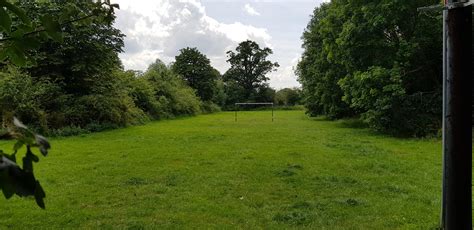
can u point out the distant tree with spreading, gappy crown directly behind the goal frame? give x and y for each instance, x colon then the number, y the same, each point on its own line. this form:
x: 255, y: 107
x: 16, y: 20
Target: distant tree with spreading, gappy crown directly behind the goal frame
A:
x: 247, y: 74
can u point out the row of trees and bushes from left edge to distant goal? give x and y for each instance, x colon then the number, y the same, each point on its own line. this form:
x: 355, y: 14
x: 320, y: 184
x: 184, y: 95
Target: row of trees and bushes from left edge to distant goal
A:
x: 73, y: 80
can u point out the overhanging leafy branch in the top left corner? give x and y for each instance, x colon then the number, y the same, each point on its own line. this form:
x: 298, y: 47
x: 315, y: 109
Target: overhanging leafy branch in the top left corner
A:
x: 20, y: 34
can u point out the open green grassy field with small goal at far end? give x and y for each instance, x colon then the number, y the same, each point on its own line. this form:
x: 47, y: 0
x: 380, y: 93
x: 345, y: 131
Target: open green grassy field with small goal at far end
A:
x: 212, y: 172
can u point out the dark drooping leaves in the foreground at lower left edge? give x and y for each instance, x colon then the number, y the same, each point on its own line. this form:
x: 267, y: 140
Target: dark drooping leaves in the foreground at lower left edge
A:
x: 13, y: 178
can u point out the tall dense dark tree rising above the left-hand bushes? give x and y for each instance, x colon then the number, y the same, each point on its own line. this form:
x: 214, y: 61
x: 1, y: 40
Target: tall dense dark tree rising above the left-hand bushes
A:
x: 86, y: 56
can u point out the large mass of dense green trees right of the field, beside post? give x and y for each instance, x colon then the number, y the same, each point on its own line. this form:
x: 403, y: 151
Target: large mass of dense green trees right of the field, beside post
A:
x: 379, y: 60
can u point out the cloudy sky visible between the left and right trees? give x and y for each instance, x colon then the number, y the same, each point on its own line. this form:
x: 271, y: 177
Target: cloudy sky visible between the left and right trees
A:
x: 158, y: 29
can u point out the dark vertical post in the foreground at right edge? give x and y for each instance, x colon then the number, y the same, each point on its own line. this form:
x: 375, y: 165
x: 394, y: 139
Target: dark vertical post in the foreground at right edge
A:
x: 457, y: 146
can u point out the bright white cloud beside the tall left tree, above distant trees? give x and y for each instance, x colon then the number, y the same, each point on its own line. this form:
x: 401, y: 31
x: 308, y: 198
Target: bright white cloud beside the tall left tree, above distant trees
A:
x: 160, y: 28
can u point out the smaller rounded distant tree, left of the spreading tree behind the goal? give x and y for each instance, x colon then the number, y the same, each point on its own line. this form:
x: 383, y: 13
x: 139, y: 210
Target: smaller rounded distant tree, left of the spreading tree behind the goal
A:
x: 195, y: 68
